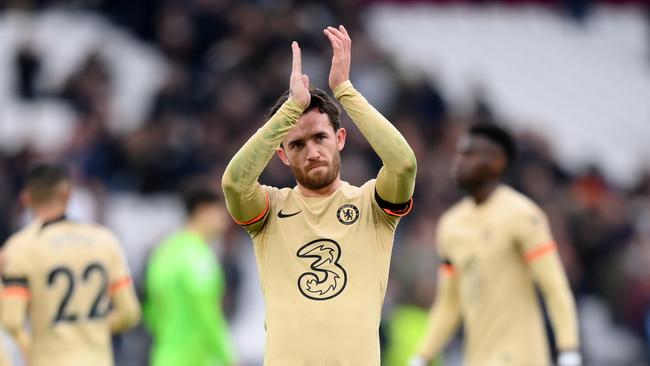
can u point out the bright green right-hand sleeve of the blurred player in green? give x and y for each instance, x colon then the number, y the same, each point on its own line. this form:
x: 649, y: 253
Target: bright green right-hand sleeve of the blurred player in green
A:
x: 202, y: 281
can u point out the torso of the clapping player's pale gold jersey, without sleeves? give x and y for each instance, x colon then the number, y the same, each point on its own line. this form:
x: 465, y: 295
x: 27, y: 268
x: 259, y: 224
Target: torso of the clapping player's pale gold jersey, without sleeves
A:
x: 323, y: 264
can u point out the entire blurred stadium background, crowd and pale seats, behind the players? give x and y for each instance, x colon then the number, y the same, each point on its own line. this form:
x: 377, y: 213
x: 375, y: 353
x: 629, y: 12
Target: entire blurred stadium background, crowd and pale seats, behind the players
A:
x: 139, y: 96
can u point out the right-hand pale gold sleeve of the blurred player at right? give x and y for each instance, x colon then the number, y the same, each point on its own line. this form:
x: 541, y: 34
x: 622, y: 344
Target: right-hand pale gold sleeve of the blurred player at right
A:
x: 540, y: 252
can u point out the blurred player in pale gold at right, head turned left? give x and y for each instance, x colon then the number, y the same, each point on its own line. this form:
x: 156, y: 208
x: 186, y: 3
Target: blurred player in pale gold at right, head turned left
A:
x: 495, y: 246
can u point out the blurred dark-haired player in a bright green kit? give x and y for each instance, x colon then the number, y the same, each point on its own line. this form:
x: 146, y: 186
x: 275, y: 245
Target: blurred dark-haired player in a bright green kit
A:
x: 184, y: 286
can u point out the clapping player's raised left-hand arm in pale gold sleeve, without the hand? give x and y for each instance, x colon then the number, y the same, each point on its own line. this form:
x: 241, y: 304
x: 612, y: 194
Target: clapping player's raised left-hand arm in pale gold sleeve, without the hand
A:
x: 242, y: 191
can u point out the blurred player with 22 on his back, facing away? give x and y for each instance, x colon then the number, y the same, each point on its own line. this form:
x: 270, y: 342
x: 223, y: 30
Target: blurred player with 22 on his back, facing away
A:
x: 70, y: 276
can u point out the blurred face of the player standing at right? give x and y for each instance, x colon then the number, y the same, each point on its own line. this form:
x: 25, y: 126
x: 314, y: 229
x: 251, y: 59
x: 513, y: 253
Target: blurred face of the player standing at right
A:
x: 475, y: 162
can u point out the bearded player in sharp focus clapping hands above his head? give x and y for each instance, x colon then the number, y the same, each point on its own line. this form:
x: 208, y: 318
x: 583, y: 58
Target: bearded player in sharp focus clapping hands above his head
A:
x: 323, y: 247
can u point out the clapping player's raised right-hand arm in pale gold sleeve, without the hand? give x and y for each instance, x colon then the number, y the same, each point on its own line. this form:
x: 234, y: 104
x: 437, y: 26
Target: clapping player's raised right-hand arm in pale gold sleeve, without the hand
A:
x: 396, y: 180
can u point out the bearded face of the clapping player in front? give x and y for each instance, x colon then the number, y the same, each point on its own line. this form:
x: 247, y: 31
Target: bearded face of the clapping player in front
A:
x: 312, y: 150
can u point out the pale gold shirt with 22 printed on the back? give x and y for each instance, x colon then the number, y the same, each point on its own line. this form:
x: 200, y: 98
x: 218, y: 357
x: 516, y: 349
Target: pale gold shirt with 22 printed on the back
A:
x: 67, y: 270
